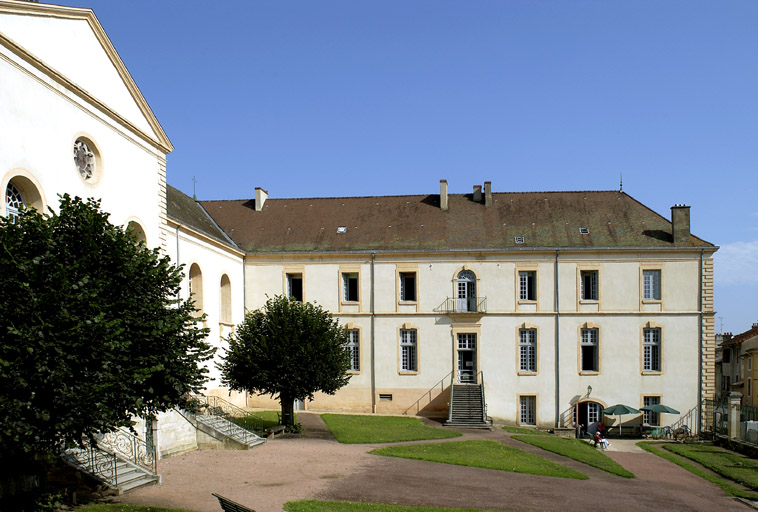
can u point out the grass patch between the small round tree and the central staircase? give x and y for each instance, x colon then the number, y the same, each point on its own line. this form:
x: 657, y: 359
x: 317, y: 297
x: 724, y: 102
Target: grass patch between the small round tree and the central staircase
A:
x: 357, y: 429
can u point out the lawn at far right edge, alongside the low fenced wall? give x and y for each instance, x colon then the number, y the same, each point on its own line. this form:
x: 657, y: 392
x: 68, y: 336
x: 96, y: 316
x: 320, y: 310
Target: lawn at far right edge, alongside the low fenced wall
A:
x: 724, y: 462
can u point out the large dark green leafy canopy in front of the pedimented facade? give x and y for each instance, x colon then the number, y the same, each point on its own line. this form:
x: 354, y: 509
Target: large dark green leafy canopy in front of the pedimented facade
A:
x: 91, y: 329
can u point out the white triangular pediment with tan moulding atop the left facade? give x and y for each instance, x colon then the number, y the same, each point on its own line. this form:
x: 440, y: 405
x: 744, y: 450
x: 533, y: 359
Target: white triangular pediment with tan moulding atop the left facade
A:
x: 69, y: 45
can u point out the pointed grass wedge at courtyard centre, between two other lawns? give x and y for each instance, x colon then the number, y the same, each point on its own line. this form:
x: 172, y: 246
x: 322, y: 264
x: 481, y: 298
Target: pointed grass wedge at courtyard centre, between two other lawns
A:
x: 481, y: 454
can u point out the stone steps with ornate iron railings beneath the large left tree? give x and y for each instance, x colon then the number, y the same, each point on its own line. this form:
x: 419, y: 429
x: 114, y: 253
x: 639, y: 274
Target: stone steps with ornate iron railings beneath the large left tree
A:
x: 120, y: 460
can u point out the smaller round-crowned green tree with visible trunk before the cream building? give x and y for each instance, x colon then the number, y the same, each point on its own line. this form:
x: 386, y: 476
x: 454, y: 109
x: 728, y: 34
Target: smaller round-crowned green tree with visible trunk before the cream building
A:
x: 288, y: 350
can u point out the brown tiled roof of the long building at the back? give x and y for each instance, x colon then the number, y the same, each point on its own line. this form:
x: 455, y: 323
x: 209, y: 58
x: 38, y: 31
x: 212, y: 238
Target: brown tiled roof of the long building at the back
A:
x: 408, y: 223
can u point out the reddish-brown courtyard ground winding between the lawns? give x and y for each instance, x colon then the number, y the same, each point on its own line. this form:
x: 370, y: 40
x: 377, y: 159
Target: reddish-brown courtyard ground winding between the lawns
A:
x: 317, y: 467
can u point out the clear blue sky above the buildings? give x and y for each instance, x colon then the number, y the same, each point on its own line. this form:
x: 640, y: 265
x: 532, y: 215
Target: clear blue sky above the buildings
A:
x: 345, y: 98
